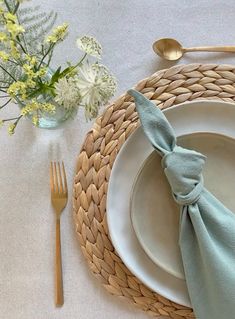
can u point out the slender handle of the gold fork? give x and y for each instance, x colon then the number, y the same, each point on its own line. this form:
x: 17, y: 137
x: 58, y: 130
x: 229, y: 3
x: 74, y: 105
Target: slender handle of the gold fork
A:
x: 59, y: 297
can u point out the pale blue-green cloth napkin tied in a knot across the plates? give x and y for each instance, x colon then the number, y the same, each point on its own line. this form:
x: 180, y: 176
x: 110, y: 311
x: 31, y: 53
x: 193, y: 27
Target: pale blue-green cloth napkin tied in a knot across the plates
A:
x: 207, y: 227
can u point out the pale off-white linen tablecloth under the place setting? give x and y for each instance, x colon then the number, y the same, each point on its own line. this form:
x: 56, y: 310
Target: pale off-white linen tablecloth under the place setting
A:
x: 126, y: 29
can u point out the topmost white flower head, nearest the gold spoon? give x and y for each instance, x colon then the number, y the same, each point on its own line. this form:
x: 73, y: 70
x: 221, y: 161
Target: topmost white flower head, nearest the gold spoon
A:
x: 90, y: 46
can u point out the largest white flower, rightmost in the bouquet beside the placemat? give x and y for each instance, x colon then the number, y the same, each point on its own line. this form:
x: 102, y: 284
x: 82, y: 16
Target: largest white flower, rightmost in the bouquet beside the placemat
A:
x: 96, y: 86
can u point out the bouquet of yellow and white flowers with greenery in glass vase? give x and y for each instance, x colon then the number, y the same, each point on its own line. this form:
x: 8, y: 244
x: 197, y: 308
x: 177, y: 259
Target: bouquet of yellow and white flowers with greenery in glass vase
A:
x: 27, y: 44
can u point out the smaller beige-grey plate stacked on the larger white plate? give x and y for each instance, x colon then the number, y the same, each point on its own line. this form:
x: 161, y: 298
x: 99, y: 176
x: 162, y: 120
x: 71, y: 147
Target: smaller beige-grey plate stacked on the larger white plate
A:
x: 154, y: 213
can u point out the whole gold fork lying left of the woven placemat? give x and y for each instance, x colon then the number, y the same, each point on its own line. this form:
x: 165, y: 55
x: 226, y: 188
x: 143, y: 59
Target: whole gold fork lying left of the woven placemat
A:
x: 59, y: 199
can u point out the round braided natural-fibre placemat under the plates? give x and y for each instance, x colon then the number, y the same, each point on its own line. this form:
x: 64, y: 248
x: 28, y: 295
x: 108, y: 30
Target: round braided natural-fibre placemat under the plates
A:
x: 101, y: 146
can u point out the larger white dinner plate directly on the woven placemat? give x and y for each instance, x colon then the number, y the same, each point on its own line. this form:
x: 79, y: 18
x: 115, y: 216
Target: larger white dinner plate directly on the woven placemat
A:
x: 191, y: 117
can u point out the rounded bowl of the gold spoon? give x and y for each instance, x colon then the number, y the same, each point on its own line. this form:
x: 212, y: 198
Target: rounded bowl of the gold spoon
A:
x: 169, y: 49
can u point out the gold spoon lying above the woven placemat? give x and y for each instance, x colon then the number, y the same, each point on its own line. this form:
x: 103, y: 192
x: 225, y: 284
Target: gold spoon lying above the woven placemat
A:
x: 170, y: 49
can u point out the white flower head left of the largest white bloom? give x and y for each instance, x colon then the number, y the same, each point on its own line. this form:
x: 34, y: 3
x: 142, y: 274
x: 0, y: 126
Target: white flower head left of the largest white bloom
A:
x: 67, y: 93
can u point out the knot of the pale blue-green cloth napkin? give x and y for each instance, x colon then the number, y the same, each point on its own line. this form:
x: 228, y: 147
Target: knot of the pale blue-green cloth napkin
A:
x: 183, y: 169
